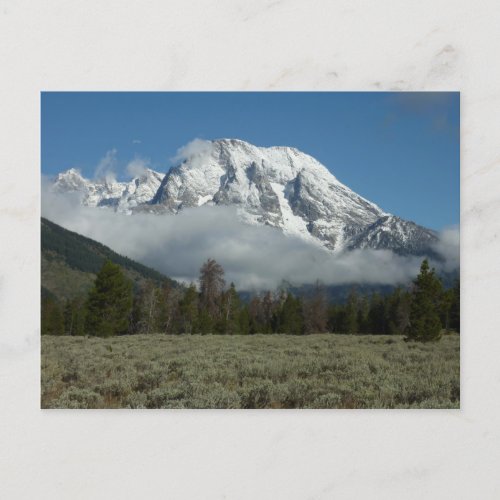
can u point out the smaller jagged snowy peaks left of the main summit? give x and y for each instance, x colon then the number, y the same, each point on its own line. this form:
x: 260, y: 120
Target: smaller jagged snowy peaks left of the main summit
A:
x: 122, y: 196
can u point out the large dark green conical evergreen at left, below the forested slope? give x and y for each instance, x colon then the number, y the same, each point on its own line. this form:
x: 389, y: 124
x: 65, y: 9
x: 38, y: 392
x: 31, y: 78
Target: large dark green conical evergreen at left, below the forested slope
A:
x: 109, y: 303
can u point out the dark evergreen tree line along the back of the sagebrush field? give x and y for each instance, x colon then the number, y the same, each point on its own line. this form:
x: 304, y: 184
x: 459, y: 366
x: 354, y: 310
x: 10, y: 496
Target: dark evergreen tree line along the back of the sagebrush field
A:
x: 111, y: 307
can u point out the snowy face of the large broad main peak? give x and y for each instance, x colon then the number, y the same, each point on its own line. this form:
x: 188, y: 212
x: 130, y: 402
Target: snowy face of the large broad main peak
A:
x: 278, y: 186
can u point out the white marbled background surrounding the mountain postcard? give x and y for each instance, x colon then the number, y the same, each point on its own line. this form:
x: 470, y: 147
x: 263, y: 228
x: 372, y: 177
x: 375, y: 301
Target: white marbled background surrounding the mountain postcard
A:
x: 249, y: 45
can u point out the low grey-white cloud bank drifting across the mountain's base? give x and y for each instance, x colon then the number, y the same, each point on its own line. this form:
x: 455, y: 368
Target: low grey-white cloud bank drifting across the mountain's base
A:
x: 254, y: 257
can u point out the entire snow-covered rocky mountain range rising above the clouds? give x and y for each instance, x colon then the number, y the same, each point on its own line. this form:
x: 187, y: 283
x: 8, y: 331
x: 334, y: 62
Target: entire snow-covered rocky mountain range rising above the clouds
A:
x: 277, y: 186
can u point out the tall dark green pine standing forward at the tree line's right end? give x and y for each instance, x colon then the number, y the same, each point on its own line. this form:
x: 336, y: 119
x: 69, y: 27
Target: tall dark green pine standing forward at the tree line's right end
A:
x: 425, y: 324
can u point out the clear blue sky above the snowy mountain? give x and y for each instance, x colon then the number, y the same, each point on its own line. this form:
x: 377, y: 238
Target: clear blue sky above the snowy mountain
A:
x: 399, y: 150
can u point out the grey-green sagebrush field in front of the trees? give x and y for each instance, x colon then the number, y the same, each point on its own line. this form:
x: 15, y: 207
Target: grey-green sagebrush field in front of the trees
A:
x: 257, y: 371
